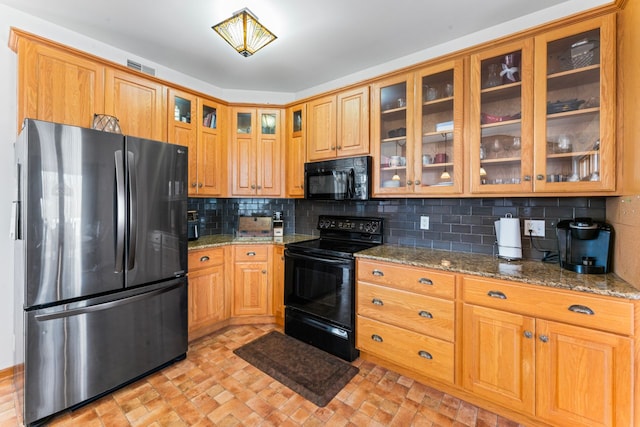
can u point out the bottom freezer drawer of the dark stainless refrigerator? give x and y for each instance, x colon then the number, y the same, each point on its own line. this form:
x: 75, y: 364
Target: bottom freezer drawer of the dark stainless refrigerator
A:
x: 78, y: 351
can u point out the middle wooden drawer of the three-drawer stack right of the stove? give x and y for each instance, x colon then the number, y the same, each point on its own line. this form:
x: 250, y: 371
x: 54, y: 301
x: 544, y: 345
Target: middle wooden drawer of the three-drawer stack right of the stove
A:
x: 419, y: 313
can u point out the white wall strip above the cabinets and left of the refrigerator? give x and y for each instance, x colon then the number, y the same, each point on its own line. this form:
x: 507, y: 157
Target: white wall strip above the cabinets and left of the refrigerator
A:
x: 8, y: 115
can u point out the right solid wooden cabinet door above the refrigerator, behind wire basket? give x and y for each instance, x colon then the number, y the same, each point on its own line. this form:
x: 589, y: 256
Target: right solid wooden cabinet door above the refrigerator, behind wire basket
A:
x: 137, y: 102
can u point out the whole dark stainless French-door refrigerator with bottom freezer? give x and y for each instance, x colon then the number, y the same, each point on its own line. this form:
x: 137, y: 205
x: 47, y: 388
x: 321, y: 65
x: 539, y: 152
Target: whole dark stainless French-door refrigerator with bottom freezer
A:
x: 101, y: 259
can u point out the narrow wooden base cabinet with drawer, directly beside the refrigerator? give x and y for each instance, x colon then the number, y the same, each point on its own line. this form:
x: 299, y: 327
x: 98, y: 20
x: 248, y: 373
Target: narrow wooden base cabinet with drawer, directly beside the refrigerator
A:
x: 207, y: 296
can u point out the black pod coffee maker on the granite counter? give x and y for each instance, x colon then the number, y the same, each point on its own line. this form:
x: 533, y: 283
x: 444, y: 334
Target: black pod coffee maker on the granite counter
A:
x: 584, y: 245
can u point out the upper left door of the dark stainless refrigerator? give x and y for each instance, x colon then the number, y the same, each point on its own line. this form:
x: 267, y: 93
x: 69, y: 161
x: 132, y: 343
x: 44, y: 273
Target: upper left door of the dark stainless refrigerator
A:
x: 66, y: 244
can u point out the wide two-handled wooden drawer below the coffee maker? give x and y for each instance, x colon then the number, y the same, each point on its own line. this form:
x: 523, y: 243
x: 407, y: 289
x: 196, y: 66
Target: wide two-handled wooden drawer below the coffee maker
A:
x: 597, y: 312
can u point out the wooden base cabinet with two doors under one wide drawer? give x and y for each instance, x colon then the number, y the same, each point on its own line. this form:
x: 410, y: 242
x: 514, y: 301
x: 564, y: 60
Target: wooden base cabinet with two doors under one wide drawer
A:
x: 524, y: 348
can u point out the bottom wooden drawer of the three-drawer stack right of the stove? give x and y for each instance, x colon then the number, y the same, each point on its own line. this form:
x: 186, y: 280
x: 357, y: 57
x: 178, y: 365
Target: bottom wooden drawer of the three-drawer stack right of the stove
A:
x: 423, y: 354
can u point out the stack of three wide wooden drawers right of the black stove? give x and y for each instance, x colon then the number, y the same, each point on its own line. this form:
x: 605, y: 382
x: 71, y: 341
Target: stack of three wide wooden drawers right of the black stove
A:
x: 407, y: 317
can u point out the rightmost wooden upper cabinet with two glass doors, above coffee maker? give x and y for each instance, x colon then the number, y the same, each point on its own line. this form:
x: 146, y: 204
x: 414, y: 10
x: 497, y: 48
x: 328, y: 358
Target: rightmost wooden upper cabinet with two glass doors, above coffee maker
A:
x: 542, y: 112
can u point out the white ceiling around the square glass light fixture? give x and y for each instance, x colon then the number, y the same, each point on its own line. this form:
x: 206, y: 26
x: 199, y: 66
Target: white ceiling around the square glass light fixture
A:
x: 318, y: 41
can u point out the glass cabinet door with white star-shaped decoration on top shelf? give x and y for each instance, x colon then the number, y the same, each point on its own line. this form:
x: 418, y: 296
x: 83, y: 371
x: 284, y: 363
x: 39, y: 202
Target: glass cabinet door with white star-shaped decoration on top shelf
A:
x: 501, y: 119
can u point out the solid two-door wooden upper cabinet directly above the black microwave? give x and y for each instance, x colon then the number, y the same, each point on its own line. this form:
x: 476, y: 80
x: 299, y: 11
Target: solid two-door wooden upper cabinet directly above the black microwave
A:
x: 338, y: 125
